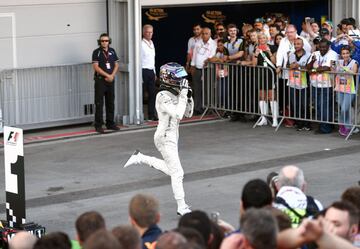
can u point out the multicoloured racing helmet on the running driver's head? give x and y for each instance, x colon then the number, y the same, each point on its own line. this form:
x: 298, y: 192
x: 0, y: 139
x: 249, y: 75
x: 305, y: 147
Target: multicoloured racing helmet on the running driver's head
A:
x: 172, y: 73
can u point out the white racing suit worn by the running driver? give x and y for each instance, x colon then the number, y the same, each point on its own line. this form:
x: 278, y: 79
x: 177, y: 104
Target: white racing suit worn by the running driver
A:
x: 170, y: 108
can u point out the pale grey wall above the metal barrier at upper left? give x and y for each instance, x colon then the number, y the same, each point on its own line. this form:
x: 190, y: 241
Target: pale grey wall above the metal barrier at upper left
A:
x: 43, y: 33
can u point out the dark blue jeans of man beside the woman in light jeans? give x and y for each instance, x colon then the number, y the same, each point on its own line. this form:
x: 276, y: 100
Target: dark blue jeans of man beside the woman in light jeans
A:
x: 323, y: 100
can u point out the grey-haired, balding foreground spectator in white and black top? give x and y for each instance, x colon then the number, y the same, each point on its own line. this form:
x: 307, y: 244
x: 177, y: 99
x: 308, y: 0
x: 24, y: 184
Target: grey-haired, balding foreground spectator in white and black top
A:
x: 291, y: 198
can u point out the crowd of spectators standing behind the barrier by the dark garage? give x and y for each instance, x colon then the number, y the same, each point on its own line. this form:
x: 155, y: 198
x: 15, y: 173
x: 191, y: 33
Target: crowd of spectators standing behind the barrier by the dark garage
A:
x: 318, y: 62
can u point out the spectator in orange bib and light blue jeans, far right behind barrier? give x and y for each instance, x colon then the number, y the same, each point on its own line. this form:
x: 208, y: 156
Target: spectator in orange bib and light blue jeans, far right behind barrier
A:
x: 346, y: 89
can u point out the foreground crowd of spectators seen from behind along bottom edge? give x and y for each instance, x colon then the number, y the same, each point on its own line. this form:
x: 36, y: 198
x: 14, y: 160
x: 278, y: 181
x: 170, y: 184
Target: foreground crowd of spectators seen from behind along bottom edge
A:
x: 273, y: 213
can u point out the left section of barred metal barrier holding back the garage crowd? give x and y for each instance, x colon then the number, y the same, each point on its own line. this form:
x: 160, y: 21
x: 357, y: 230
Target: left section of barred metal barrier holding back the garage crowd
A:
x: 233, y: 88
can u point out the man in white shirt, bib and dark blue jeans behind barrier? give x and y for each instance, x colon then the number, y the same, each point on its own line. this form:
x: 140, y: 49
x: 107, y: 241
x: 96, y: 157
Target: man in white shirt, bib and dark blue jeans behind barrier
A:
x: 321, y: 61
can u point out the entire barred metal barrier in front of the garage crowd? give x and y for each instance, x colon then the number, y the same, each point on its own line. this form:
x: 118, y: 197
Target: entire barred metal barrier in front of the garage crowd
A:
x: 329, y: 98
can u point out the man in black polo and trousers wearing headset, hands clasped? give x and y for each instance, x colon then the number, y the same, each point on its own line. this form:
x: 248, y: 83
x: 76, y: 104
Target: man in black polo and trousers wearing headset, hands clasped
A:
x: 105, y: 64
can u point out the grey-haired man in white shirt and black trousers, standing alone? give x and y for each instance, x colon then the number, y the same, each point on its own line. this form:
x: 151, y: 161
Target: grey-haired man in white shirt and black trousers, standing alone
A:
x: 148, y: 68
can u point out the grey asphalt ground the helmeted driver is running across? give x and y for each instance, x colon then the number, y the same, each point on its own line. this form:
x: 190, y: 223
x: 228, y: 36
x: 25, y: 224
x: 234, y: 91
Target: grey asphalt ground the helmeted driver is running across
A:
x: 68, y: 177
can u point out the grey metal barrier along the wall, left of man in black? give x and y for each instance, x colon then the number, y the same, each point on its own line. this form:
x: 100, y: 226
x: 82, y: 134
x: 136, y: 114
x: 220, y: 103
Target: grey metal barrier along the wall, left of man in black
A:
x: 47, y: 96
